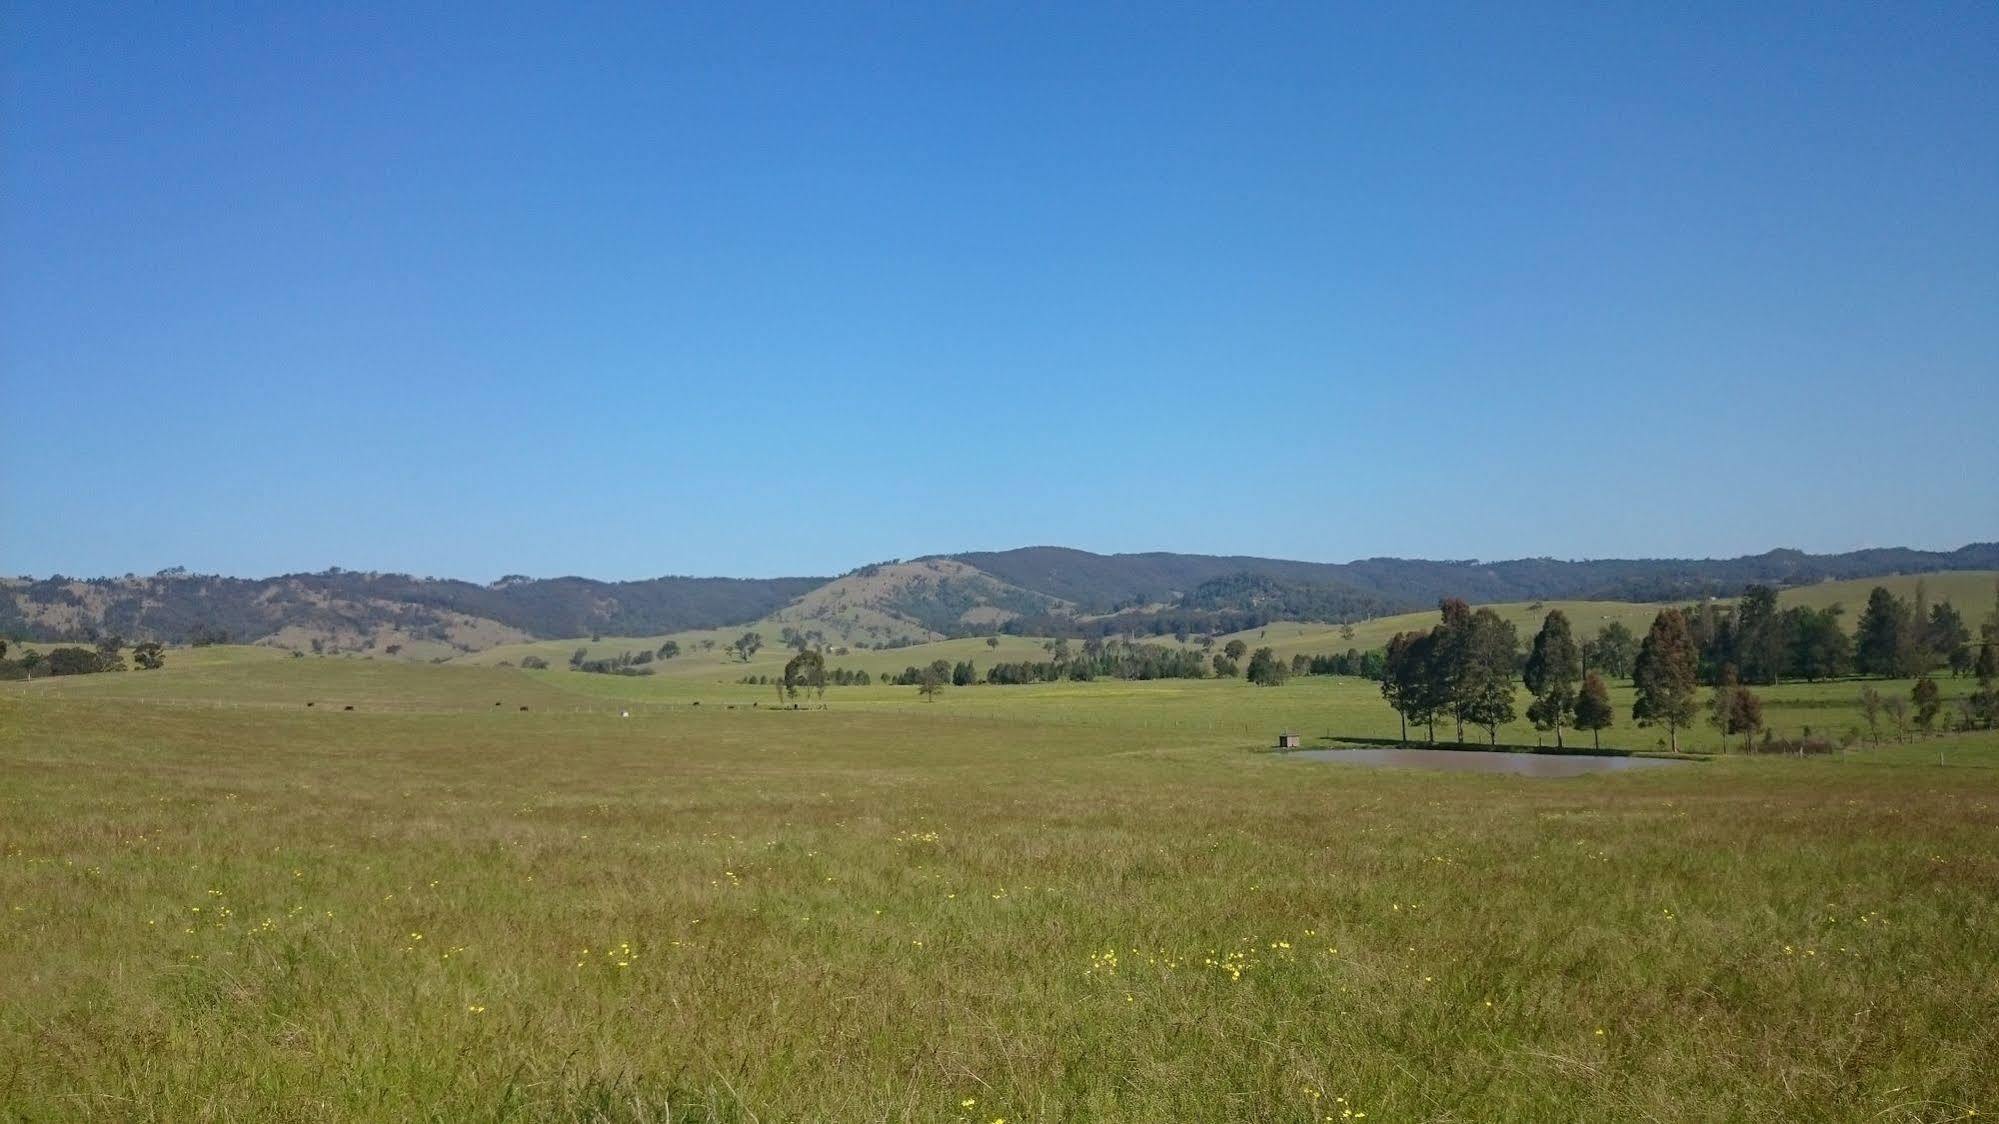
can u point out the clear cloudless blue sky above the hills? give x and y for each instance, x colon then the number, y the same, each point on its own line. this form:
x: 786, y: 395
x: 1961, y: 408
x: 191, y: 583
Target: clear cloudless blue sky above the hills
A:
x: 777, y: 289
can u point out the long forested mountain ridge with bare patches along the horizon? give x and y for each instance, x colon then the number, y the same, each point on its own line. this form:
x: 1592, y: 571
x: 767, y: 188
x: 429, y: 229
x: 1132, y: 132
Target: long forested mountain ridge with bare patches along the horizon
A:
x: 1030, y: 591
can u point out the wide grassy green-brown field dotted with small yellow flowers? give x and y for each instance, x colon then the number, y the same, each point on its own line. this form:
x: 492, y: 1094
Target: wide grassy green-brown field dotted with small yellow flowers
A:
x: 1054, y: 903
